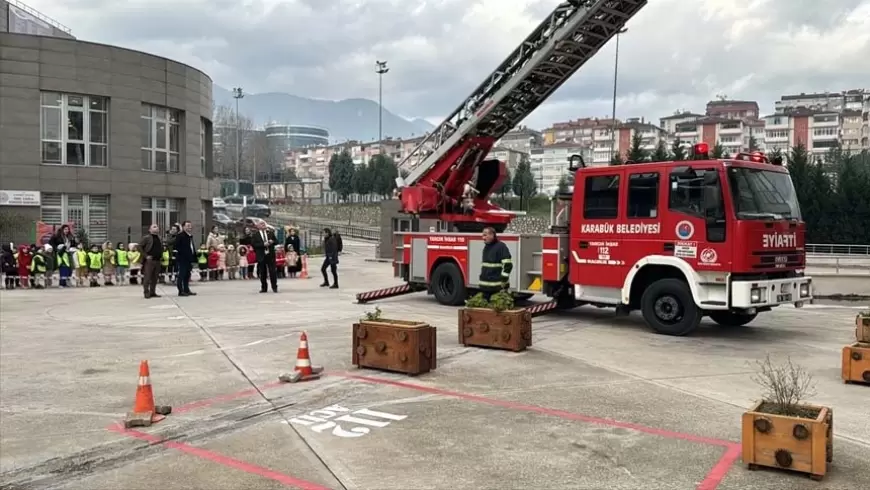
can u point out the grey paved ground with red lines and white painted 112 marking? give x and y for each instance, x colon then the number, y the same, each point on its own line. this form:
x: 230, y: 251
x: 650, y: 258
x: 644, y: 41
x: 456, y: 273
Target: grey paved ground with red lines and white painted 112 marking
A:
x: 598, y: 402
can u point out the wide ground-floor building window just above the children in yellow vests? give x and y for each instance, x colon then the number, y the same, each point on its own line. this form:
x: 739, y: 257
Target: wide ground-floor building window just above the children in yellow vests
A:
x: 84, y: 211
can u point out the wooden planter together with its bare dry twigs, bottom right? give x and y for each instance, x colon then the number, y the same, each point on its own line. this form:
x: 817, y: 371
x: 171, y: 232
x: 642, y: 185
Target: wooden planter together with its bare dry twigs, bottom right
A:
x: 781, y: 430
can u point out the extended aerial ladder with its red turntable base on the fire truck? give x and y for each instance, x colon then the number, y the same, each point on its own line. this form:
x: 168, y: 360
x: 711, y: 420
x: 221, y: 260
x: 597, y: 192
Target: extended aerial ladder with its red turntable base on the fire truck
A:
x: 433, y: 177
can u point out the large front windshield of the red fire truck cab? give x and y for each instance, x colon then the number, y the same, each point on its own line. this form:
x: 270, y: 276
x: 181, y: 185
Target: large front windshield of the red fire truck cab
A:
x: 763, y: 194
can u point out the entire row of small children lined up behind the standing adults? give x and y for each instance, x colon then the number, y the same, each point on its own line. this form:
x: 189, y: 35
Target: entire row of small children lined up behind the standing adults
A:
x: 34, y: 267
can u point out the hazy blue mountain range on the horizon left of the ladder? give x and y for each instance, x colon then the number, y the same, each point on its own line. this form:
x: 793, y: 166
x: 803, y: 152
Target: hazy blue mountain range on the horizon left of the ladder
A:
x: 349, y: 119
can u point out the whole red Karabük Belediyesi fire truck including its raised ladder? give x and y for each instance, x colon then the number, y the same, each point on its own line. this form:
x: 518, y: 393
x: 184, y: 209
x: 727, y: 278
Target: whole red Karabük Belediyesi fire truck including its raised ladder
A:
x: 676, y: 240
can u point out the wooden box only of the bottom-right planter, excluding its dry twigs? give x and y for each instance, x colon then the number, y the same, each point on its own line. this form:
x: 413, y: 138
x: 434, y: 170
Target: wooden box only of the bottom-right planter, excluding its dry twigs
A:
x: 793, y: 443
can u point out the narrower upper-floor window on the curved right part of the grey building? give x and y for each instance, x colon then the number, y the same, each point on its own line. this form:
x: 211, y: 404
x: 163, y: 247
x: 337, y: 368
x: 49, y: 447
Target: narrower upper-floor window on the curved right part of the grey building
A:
x: 161, y: 133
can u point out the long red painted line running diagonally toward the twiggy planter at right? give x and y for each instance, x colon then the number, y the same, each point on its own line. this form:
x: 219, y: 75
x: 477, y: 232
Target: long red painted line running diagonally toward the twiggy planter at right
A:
x: 543, y: 410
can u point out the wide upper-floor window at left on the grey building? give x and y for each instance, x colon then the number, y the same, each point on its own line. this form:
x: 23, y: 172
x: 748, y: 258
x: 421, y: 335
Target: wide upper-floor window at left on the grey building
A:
x: 74, y: 129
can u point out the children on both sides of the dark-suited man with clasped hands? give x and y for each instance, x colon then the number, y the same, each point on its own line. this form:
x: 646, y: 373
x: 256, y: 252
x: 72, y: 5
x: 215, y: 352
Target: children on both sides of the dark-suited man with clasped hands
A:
x: 222, y: 261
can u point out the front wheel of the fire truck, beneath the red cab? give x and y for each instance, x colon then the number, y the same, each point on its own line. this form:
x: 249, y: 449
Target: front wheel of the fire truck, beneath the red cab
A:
x: 669, y: 309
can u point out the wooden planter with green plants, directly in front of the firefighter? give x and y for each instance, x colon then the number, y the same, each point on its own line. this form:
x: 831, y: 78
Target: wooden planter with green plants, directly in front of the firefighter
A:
x: 495, y: 323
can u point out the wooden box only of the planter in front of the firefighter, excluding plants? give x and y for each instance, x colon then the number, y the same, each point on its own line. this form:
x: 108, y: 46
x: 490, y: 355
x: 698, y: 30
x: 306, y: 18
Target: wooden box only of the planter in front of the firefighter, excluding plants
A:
x: 483, y: 327
